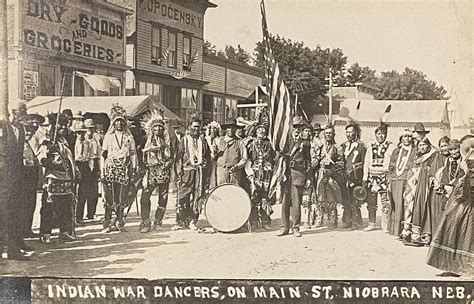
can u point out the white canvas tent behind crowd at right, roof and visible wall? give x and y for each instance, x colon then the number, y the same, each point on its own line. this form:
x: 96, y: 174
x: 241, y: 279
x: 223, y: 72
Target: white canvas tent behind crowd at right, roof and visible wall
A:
x: 403, y: 115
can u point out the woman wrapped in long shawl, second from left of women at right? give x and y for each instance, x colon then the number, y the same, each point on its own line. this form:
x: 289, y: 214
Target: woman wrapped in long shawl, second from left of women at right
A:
x: 417, y: 219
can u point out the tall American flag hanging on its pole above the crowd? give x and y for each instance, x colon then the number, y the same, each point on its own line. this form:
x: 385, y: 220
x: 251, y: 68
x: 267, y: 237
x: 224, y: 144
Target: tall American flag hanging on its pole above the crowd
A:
x: 279, y: 111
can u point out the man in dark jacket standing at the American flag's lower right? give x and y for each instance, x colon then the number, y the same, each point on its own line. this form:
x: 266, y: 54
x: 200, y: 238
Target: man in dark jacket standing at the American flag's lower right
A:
x: 298, y: 176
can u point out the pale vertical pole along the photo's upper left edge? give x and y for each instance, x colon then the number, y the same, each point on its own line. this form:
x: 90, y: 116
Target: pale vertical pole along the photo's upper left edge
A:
x: 3, y: 61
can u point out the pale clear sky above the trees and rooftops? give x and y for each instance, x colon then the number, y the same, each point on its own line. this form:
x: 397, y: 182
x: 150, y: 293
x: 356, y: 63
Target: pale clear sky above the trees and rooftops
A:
x: 434, y: 37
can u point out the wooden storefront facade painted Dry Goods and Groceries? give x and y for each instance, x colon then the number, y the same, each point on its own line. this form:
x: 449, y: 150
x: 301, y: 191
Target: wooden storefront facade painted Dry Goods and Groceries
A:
x: 49, y: 40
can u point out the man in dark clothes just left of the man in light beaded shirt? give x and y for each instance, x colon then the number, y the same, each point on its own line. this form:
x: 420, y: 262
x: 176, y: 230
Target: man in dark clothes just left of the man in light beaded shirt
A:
x: 353, y: 157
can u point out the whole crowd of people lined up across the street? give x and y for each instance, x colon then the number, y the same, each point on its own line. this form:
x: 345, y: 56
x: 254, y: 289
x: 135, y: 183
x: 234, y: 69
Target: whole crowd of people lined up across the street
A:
x: 425, y: 192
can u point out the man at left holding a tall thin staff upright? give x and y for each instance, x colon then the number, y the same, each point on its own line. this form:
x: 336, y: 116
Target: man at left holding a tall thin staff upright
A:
x: 60, y: 177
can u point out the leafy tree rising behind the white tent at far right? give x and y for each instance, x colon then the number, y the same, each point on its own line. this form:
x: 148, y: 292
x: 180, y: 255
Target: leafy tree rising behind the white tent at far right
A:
x: 409, y: 85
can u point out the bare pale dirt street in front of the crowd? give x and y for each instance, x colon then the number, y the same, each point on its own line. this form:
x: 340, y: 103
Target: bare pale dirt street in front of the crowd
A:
x: 318, y: 254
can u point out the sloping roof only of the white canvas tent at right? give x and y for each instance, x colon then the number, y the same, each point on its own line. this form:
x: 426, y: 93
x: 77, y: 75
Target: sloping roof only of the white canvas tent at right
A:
x: 429, y: 112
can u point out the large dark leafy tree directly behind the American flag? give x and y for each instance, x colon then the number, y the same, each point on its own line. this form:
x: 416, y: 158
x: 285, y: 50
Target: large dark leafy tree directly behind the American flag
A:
x: 304, y: 70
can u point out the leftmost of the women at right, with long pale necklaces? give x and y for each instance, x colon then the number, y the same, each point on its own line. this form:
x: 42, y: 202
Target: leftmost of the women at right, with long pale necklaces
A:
x: 400, y: 163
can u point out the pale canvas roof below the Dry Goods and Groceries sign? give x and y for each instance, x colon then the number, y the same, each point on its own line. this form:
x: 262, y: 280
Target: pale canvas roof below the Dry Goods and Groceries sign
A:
x: 133, y: 105
